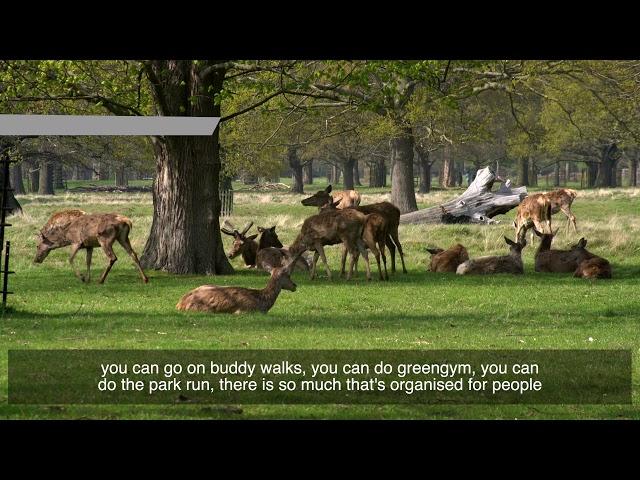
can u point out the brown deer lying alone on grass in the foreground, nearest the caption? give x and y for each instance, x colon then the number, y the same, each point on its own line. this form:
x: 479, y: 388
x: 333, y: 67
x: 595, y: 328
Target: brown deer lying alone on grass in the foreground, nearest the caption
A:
x: 217, y: 299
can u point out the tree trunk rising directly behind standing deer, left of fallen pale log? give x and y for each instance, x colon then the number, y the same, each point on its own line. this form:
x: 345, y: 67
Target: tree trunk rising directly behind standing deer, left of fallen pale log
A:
x: 403, y: 194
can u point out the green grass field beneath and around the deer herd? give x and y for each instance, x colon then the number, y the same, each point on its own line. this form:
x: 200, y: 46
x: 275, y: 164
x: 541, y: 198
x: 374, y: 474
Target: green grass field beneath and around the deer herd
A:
x: 420, y: 310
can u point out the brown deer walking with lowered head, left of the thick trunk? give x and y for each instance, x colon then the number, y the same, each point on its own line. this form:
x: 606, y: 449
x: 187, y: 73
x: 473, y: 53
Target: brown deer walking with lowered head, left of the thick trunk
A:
x: 82, y: 230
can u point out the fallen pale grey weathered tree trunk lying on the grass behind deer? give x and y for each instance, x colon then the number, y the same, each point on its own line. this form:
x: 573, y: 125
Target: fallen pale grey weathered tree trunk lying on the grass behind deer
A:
x: 478, y: 204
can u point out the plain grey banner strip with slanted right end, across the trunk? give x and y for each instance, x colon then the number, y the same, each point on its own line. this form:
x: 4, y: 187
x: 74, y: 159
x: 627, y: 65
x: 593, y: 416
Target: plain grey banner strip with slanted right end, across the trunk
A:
x: 106, y: 125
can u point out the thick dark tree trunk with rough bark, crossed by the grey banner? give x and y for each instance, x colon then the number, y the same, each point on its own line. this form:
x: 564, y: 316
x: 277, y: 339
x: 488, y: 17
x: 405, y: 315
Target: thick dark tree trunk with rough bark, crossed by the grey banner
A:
x: 185, y: 234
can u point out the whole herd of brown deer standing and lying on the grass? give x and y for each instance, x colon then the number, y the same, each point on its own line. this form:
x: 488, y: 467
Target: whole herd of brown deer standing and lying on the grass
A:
x: 340, y: 220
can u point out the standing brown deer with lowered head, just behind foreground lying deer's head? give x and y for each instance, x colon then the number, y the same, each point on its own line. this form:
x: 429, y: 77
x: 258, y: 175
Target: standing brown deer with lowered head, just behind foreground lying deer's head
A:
x: 330, y: 227
